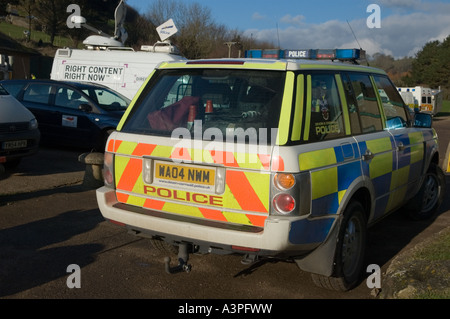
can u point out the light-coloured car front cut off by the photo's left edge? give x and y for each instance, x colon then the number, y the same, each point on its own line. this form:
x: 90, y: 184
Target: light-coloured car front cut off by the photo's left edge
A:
x: 19, y: 133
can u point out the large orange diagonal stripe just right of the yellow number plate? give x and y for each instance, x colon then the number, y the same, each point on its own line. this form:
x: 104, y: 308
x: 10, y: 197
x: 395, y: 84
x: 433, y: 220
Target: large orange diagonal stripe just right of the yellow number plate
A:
x: 244, y: 192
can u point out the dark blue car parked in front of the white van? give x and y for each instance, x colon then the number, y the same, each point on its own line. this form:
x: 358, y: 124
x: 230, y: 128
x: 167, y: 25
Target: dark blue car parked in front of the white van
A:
x: 71, y: 113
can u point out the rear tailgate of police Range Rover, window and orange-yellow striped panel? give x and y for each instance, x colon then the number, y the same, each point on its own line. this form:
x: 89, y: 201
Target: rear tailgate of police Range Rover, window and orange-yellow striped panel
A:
x: 223, y: 173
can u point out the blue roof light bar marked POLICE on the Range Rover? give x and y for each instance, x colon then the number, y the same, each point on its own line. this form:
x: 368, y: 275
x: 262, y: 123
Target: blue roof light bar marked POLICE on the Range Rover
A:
x: 317, y: 54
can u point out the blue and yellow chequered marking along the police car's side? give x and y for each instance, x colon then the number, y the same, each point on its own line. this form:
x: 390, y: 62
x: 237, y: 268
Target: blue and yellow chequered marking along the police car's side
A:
x: 333, y: 170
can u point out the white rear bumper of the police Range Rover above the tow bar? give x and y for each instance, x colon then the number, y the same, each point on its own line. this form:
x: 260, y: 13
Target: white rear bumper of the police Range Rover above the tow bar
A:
x: 275, y: 239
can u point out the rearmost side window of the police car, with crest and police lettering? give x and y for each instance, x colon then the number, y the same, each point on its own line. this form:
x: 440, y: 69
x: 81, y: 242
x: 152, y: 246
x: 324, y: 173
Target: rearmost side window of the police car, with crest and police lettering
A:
x: 323, y: 109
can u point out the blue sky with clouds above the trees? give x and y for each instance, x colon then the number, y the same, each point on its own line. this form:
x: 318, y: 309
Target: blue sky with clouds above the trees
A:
x: 405, y: 25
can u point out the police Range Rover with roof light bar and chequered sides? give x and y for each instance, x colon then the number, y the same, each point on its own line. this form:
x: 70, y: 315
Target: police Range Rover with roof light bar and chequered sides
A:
x: 270, y: 156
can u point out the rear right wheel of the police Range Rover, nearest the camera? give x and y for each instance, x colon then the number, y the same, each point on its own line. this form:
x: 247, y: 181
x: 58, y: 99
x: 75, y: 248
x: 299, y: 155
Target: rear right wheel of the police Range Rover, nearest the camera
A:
x: 350, y: 250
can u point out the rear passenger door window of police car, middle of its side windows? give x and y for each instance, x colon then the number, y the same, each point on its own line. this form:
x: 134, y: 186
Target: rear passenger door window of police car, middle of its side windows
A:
x: 361, y: 98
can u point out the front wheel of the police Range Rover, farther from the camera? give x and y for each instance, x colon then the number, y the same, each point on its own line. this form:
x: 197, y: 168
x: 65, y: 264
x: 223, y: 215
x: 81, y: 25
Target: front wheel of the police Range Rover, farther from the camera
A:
x: 430, y: 196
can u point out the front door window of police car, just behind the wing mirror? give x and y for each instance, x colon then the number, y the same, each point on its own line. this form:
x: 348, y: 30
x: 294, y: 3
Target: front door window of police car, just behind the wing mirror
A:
x: 392, y: 102
